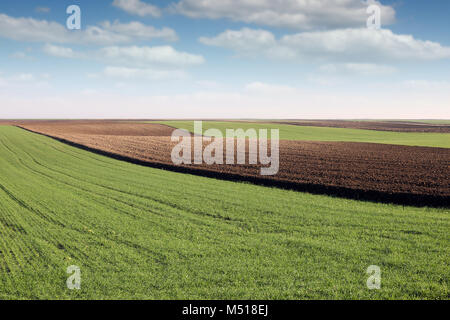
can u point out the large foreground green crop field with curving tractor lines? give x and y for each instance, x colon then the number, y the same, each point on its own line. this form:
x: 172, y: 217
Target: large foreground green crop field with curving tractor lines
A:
x: 139, y: 232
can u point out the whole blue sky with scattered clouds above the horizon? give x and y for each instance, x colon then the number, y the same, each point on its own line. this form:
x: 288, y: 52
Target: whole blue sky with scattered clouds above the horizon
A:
x: 225, y: 59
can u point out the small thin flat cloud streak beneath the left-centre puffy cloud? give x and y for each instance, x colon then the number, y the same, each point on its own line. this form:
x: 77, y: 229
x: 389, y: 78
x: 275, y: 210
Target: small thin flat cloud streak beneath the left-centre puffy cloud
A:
x: 146, y: 74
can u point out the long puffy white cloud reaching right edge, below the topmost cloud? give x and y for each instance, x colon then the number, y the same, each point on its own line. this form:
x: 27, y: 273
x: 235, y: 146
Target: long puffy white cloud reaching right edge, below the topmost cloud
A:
x: 356, y: 45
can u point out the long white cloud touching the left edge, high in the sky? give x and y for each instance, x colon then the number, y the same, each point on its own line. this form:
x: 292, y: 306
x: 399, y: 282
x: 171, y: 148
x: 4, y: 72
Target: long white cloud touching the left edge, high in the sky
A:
x: 33, y: 30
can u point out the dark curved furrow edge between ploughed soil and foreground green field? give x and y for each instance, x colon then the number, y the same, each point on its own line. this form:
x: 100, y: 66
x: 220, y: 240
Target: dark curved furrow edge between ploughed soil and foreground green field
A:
x: 420, y: 200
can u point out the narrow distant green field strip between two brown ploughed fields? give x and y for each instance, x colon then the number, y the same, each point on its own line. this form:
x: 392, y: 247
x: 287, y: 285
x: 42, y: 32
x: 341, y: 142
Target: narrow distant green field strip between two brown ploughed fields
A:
x: 292, y: 132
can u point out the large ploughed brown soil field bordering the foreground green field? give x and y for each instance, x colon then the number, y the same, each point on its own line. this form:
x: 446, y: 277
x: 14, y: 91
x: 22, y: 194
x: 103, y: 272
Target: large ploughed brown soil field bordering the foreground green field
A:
x: 384, y: 173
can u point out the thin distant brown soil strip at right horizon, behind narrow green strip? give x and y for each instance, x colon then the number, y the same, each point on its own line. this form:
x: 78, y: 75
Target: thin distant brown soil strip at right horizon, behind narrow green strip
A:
x: 398, y: 126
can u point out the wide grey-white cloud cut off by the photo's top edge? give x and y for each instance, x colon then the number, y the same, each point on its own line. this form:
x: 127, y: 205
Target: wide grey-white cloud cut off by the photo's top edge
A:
x: 294, y: 14
